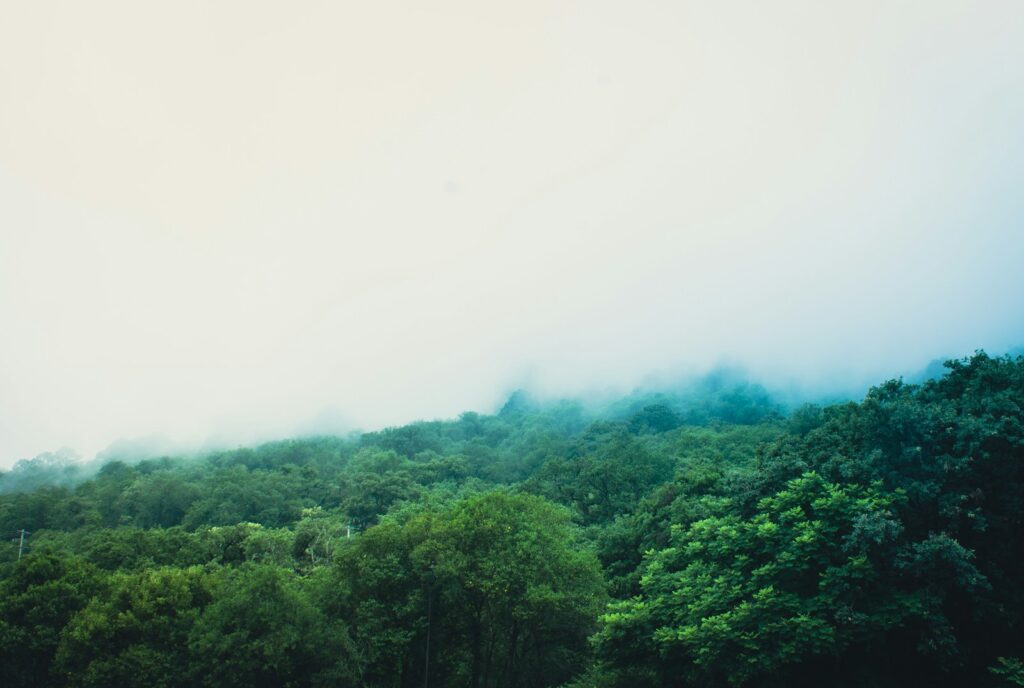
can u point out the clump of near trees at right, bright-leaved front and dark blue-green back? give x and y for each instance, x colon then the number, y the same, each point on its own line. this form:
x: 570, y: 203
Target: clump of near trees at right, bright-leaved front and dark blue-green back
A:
x: 882, y: 530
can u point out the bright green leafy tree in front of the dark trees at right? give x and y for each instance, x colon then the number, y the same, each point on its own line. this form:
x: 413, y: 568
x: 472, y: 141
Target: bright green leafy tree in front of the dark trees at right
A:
x: 800, y: 590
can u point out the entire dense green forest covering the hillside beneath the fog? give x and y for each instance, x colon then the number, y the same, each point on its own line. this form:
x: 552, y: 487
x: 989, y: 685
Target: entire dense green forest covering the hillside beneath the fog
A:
x: 700, y: 539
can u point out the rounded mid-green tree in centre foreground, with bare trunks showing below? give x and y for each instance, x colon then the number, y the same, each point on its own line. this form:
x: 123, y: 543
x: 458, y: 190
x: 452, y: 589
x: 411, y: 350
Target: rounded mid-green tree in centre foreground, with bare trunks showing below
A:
x: 498, y: 582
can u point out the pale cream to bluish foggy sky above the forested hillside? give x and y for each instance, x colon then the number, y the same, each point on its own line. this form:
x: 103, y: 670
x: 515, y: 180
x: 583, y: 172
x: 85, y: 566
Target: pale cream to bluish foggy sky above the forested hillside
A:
x: 241, y: 221
